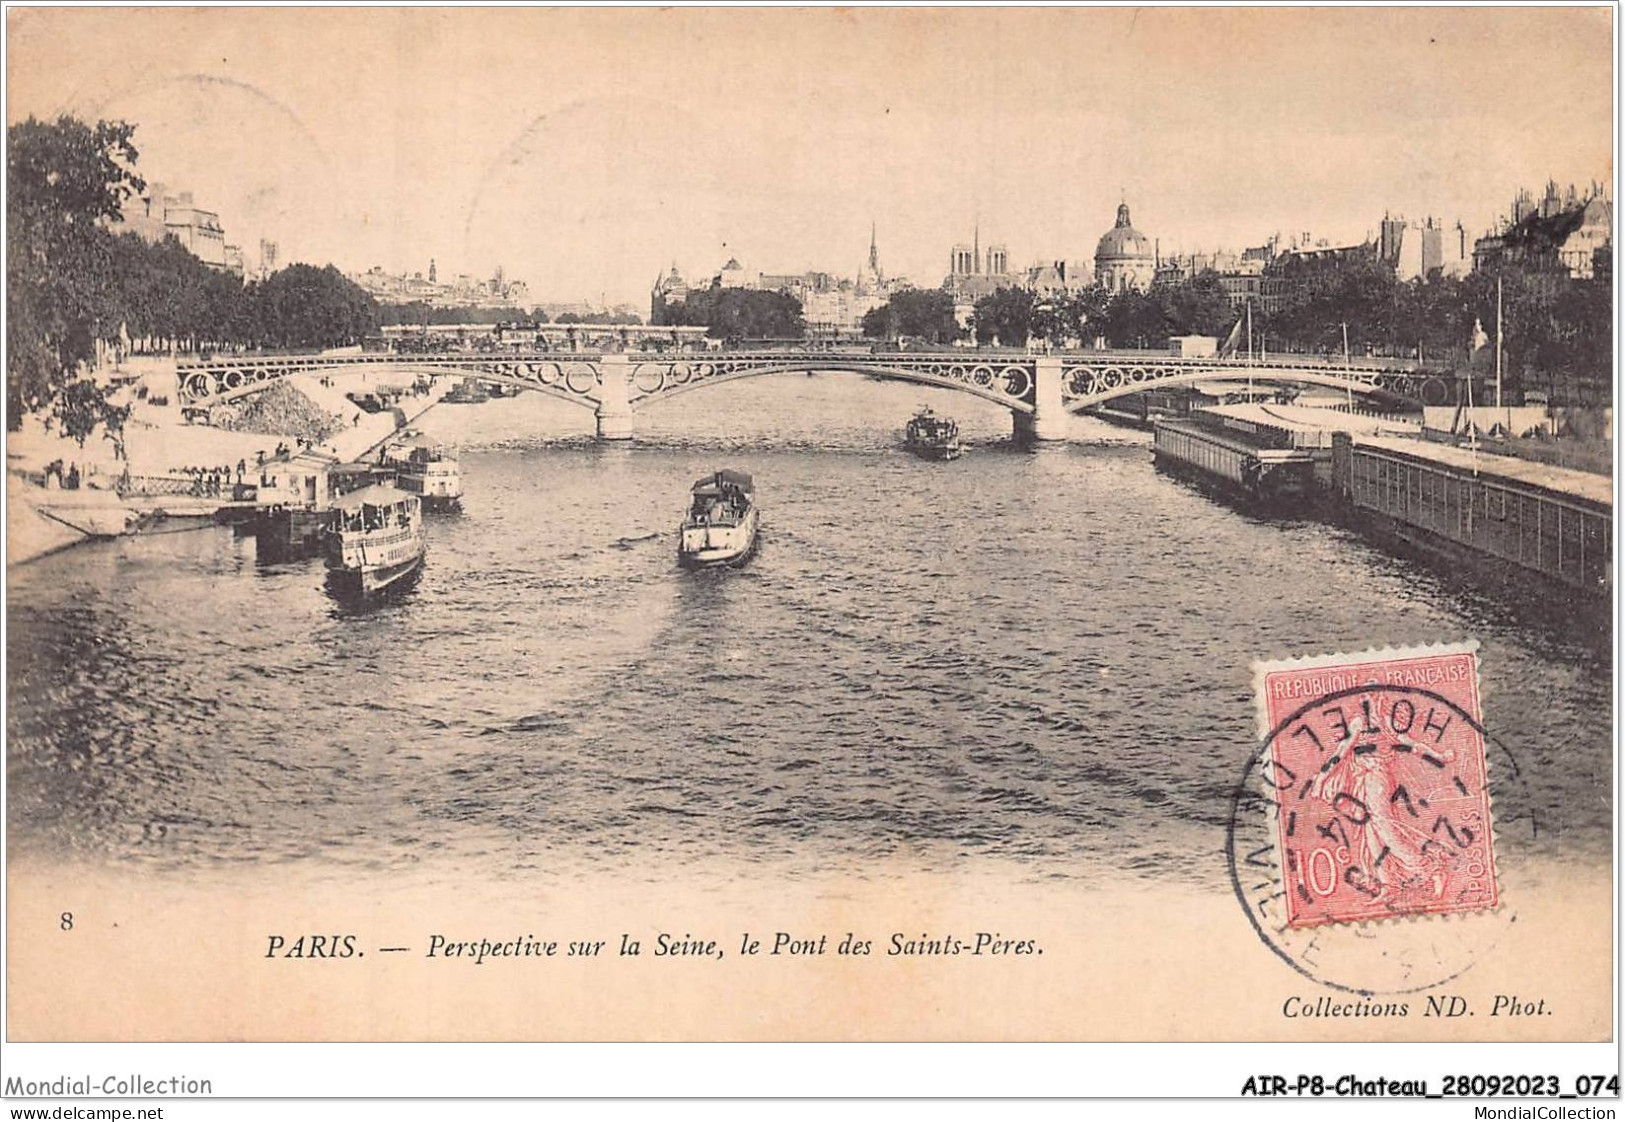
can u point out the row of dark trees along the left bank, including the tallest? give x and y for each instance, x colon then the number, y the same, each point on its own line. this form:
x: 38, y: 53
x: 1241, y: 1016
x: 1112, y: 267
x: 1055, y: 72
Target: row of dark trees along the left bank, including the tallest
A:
x: 76, y: 287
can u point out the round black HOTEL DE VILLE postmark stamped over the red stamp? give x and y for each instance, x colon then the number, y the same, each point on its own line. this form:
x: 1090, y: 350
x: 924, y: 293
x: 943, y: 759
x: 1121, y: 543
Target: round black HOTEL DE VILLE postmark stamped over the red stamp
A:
x: 1361, y: 840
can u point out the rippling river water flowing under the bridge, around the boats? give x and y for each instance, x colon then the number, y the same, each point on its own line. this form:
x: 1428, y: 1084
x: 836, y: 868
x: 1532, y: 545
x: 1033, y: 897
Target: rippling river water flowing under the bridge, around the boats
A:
x: 1038, y: 656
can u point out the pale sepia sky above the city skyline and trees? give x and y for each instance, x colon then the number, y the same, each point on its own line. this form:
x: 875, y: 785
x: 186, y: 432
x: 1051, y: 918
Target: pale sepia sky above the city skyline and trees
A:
x: 587, y: 150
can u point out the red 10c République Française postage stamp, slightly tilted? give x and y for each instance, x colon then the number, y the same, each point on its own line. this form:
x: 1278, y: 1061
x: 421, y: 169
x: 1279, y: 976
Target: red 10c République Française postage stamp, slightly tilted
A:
x: 1379, y: 770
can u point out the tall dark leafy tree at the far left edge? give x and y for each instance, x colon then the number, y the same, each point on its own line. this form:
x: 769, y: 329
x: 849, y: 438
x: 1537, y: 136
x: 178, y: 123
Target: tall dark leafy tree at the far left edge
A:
x: 63, y: 180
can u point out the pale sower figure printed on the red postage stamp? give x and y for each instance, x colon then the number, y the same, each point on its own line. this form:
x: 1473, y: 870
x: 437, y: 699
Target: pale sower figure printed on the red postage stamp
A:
x: 1390, y: 853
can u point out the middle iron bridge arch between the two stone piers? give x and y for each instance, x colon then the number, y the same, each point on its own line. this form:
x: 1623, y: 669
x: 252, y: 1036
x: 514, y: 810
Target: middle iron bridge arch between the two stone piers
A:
x: 1003, y: 383
